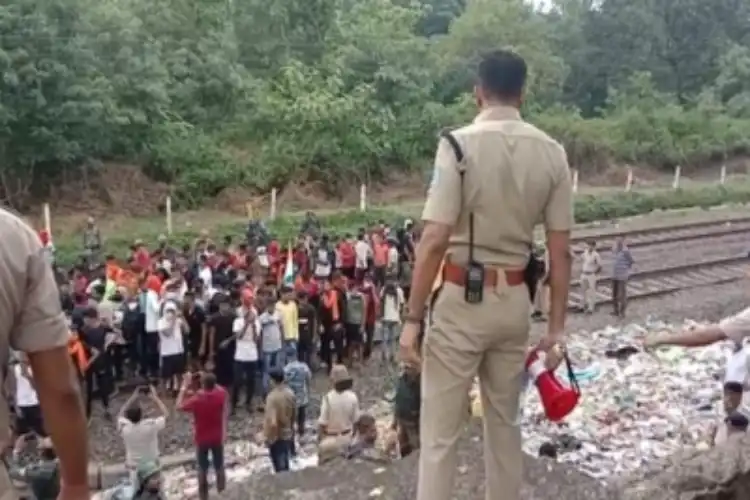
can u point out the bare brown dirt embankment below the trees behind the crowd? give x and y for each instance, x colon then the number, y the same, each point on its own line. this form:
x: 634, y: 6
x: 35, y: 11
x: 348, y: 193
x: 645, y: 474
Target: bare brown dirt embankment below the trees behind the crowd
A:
x: 123, y: 190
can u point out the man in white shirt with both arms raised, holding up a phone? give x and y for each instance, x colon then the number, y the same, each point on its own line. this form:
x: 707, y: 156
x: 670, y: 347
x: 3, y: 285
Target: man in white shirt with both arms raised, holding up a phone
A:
x: 141, y: 435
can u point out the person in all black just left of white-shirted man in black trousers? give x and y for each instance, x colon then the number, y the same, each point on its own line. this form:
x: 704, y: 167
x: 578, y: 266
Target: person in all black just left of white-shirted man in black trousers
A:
x: 221, y: 343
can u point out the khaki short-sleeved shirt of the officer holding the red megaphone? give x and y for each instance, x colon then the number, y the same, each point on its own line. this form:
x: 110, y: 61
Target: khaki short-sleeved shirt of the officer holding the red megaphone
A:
x: 516, y: 177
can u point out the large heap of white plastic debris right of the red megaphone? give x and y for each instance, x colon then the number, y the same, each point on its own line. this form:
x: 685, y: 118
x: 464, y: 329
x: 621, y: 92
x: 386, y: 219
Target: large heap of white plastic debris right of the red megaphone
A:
x: 634, y: 412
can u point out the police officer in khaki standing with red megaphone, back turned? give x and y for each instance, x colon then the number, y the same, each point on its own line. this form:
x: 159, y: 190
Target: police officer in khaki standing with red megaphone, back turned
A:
x: 498, y: 178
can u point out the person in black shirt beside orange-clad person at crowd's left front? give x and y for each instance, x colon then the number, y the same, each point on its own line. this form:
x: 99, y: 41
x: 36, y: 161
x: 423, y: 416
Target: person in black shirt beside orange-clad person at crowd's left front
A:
x: 99, y: 372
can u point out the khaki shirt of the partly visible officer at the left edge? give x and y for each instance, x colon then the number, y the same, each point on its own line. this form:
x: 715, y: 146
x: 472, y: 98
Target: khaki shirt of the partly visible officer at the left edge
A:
x: 31, y: 319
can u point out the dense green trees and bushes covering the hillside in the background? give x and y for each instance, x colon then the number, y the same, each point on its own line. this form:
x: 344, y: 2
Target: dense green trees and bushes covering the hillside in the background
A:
x: 210, y: 94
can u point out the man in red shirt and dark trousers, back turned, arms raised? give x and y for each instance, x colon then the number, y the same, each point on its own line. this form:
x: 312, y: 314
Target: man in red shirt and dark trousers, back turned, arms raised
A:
x: 210, y: 412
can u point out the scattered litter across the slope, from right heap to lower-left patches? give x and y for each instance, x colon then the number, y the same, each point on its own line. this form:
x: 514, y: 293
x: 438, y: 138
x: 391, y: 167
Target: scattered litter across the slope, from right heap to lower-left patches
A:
x: 637, y: 410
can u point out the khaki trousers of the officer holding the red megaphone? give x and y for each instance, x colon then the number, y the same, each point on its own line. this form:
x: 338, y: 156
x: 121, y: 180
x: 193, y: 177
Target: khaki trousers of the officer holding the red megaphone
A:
x: 463, y: 341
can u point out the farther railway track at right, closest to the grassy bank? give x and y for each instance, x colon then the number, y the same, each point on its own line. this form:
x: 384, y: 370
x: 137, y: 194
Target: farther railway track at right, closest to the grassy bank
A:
x: 662, y: 235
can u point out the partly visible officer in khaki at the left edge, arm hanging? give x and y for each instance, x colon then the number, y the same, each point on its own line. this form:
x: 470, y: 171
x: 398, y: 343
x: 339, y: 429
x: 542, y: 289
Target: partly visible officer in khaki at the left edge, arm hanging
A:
x: 31, y: 321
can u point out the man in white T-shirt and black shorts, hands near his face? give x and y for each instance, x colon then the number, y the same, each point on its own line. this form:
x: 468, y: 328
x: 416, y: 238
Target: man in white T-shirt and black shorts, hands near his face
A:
x: 171, y: 347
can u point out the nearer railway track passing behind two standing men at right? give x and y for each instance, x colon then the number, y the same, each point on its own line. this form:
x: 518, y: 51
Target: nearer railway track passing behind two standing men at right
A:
x: 668, y: 279
